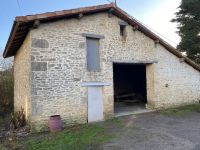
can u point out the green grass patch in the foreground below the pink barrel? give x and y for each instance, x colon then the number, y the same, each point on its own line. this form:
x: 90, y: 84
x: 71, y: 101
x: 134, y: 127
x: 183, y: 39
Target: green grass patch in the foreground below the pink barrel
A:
x: 79, y: 138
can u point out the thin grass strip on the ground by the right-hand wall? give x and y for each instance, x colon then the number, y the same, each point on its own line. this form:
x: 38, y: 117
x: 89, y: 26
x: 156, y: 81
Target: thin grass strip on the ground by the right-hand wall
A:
x: 181, y: 111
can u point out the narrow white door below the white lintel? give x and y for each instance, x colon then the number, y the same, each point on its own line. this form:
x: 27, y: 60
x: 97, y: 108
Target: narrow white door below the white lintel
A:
x: 95, y: 104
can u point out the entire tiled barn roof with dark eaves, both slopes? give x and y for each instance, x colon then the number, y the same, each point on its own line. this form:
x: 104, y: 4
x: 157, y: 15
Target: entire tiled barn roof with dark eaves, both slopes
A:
x: 23, y: 24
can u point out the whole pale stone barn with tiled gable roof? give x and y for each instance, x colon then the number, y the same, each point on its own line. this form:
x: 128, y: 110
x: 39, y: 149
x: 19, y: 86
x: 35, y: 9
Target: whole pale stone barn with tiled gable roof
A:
x: 92, y: 63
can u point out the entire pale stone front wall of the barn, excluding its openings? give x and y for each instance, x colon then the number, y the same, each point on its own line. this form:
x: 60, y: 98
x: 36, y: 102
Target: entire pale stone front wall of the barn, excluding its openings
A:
x: 58, y: 59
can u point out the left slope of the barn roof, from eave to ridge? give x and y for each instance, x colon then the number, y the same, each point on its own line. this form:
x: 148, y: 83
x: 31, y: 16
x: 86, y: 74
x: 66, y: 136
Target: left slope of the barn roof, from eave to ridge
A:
x: 22, y: 24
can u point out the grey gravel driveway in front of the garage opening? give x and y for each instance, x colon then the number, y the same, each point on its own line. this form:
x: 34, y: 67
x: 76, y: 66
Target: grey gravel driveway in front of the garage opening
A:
x: 155, y: 131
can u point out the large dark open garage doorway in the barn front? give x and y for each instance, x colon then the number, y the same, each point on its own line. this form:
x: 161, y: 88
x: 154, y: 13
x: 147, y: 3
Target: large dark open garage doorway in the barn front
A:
x: 130, y: 94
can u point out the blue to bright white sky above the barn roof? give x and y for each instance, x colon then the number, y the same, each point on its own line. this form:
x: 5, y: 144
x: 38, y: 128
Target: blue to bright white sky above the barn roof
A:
x: 156, y: 14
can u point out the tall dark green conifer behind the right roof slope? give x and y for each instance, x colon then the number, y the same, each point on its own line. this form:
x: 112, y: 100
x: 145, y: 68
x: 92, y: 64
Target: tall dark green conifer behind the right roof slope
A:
x: 188, y: 19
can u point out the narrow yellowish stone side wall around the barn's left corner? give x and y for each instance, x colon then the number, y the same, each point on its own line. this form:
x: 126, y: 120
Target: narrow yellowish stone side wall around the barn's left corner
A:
x: 22, y: 77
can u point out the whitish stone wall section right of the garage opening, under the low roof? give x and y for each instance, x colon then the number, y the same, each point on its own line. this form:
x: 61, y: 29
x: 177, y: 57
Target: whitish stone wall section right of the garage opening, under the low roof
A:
x: 175, y: 82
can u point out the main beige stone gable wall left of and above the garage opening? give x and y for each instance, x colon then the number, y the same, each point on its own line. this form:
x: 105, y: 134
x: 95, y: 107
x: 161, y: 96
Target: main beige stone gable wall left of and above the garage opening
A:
x: 61, y: 49
